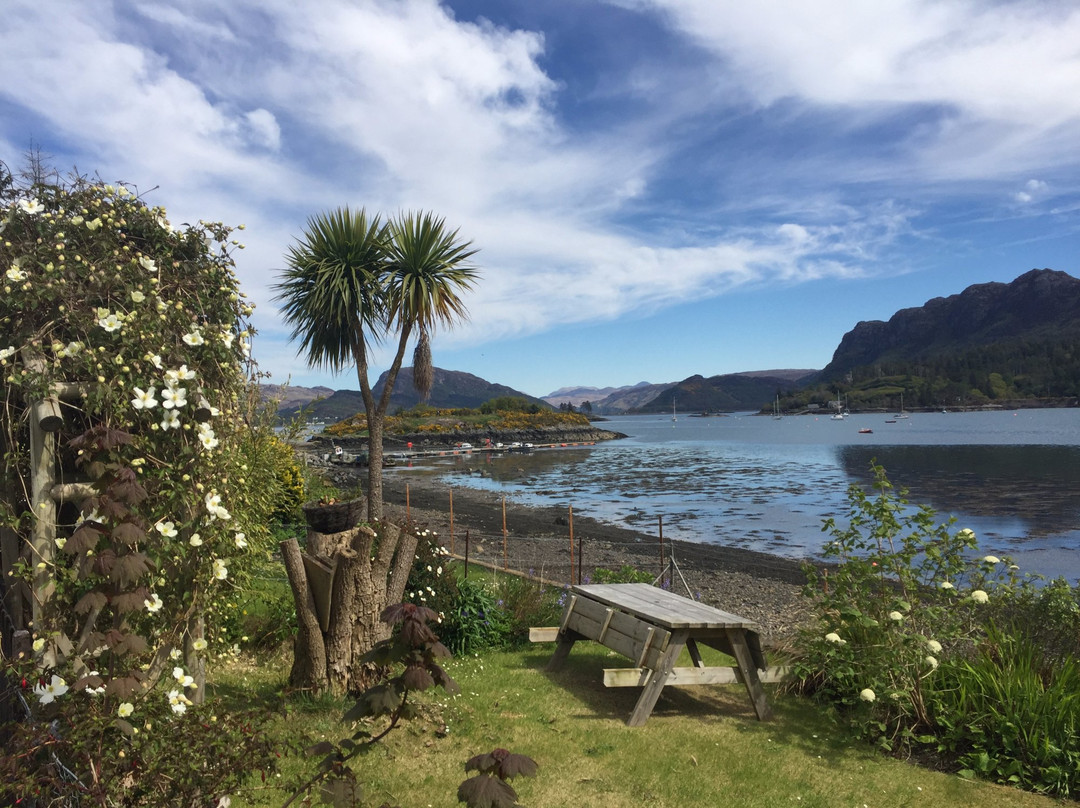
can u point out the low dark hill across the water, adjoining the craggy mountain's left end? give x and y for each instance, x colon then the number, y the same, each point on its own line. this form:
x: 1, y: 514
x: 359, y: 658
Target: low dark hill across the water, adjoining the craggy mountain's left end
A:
x: 730, y: 393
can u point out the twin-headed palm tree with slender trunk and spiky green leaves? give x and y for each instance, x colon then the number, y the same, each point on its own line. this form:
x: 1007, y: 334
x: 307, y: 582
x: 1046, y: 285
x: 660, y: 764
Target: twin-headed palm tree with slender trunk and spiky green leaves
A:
x: 352, y: 280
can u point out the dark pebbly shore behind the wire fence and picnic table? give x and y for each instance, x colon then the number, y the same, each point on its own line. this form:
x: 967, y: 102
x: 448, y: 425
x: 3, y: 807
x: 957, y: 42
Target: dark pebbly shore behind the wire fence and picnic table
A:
x: 766, y: 589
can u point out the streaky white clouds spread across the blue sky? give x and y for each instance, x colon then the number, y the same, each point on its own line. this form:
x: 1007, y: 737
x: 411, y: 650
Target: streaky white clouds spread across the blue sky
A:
x: 264, y: 113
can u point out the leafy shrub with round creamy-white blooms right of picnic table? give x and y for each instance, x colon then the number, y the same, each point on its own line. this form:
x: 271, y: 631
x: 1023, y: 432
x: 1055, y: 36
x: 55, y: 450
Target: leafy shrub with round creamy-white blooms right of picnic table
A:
x: 900, y: 591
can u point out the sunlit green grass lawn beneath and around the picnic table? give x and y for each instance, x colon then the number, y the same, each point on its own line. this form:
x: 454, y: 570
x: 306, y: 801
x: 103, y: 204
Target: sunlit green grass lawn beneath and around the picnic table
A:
x: 701, y: 746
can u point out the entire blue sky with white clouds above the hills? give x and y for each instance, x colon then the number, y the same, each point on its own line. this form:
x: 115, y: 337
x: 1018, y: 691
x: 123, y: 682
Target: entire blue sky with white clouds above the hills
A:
x: 657, y: 188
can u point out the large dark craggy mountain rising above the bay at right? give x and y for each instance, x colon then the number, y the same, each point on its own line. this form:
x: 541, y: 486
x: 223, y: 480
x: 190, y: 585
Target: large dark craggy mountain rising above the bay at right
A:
x: 992, y: 342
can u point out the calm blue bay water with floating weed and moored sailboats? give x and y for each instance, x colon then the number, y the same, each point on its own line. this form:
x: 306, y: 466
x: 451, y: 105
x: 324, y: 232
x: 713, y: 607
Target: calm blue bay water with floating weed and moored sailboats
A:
x: 765, y: 484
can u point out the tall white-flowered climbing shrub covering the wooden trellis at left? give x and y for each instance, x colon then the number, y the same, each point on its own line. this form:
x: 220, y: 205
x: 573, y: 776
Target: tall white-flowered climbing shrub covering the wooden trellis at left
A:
x: 145, y: 322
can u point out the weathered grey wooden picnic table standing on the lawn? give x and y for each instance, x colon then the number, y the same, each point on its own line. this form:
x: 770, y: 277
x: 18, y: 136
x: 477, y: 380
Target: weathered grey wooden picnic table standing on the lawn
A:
x: 652, y: 627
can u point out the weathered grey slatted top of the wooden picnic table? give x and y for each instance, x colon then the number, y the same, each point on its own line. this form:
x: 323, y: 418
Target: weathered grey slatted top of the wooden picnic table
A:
x: 664, y: 609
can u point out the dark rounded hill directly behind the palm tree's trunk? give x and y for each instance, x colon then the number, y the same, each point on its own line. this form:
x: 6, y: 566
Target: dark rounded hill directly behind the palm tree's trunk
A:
x: 451, y: 389
